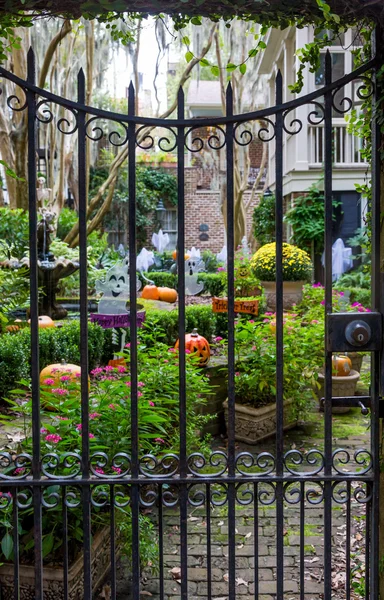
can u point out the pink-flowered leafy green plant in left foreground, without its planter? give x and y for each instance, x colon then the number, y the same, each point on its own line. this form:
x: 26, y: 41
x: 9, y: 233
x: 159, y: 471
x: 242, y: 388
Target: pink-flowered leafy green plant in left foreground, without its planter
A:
x: 109, y: 441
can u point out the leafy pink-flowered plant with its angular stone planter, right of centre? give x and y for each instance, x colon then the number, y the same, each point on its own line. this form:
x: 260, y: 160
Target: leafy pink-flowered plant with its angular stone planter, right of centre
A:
x: 255, y: 381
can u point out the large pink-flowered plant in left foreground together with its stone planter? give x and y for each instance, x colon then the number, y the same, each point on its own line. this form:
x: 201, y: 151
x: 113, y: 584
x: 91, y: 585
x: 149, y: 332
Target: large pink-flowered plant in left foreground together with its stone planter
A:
x: 110, y: 443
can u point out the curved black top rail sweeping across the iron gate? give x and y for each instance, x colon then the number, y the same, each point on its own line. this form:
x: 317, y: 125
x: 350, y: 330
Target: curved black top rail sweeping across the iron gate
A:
x: 203, y: 122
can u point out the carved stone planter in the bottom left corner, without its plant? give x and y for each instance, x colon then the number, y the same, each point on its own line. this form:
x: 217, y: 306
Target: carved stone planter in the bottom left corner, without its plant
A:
x: 53, y: 586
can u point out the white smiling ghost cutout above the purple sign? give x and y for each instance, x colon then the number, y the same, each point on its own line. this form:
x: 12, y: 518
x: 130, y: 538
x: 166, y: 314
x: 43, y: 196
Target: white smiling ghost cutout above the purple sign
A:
x: 115, y: 289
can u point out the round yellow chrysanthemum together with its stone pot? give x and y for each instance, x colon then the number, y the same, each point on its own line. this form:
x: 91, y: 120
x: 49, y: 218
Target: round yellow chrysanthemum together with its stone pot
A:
x: 296, y: 270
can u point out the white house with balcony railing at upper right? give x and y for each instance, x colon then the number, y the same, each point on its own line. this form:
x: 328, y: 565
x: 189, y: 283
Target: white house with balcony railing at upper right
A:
x: 304, y: 152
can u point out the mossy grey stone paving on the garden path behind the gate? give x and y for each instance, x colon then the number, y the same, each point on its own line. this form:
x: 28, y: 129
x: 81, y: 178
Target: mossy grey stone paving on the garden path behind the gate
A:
x: 351, y: 432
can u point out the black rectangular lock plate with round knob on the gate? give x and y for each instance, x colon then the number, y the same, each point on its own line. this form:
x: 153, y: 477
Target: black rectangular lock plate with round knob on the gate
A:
x: 354, y: 332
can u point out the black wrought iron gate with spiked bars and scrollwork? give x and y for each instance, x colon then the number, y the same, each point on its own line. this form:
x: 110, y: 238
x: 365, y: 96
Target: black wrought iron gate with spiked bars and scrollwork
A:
x: 307, y: 478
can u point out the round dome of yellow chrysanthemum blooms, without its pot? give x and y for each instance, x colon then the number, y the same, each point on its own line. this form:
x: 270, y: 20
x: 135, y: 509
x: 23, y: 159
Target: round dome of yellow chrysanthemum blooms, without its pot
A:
x: 296, y: 263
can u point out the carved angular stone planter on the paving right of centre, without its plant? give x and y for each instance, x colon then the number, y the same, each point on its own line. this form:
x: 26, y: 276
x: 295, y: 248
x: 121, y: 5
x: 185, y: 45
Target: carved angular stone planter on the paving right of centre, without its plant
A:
x: 253, y: 425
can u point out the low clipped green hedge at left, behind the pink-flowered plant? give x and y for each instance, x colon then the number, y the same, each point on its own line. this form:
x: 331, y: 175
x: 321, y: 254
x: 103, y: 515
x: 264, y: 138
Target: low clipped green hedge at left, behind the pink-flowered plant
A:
x: 55, y: 344
